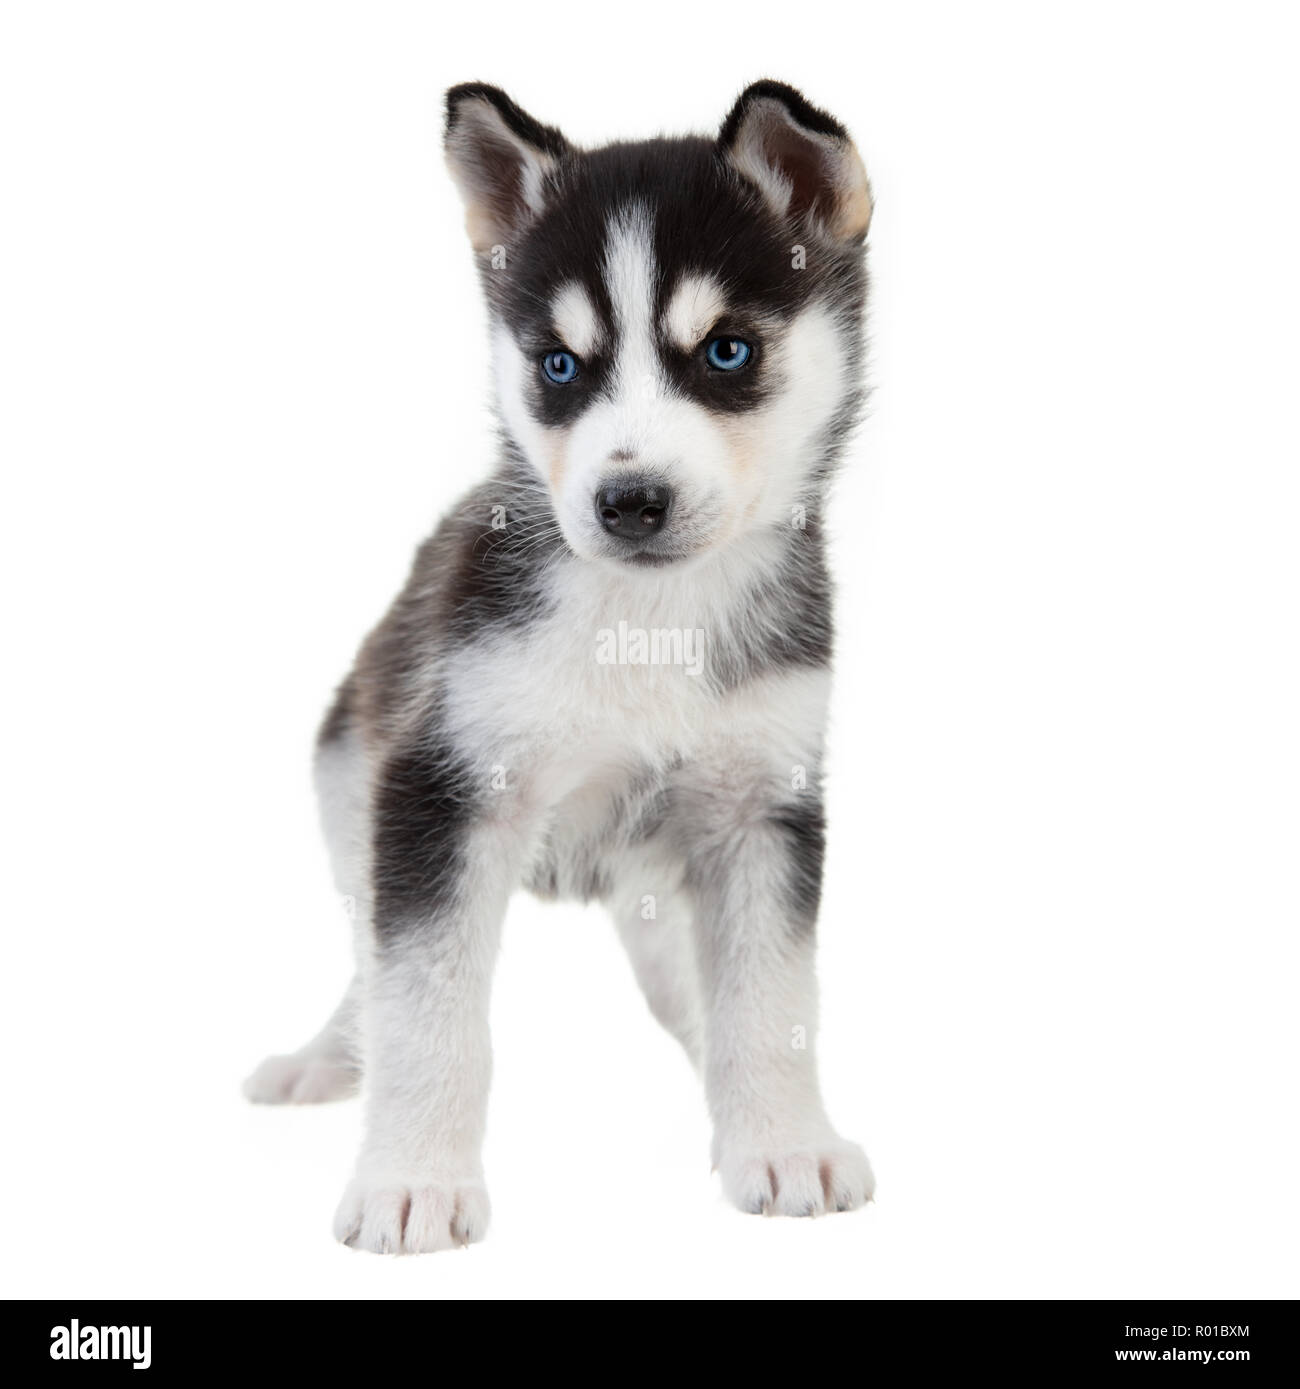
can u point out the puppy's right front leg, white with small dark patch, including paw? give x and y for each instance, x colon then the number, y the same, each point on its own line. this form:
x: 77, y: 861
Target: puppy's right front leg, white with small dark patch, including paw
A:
x: 758, y: 881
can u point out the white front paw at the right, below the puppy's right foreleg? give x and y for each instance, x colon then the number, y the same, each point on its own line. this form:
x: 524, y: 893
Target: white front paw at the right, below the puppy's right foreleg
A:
x: 806, y: 1180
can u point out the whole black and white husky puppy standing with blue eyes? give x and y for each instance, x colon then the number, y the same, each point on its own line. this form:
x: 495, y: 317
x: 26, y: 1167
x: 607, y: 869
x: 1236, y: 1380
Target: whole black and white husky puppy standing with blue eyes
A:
x: 608, y: 674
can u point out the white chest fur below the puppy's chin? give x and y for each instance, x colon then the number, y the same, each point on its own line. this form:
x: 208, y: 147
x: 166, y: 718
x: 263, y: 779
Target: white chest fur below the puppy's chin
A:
x: 622, y: 681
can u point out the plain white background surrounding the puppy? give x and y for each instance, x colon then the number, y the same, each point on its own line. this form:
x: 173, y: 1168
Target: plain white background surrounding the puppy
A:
x: 244, y: 369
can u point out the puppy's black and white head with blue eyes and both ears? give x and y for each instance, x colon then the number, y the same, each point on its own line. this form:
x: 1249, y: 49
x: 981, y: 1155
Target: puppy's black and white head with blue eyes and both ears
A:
x: 677, y: 326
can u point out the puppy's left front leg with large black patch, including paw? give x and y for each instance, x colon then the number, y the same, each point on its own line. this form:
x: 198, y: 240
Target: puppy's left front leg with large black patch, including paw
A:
x: 444, y: 873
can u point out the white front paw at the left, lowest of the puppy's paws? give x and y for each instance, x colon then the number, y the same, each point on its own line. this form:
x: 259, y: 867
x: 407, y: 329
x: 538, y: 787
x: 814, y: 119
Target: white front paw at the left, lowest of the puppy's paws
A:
x: 412, y: 1217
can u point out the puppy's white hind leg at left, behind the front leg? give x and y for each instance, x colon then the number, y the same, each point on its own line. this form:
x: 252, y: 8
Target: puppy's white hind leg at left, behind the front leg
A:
x: 328, y: 1067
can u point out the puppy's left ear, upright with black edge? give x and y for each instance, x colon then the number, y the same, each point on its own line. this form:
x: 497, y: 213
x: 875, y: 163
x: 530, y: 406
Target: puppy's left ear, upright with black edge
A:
x: 499, y: 158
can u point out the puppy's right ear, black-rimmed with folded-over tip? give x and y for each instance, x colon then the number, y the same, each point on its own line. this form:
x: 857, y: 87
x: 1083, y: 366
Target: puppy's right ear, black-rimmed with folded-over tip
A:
x: 801, y: 159
